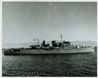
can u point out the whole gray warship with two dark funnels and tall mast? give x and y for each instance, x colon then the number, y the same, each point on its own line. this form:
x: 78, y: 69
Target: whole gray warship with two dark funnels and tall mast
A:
x: 54, y: 47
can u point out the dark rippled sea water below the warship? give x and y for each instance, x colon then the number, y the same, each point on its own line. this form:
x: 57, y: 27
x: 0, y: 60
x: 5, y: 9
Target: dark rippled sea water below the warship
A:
x: 50, y: 65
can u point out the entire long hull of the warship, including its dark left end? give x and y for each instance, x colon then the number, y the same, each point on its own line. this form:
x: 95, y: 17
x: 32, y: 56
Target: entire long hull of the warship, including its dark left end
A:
x: 54, y: 51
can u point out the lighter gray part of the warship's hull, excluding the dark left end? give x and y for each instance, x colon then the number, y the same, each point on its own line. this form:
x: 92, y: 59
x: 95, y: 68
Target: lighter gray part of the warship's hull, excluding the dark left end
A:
x: 59, y: 51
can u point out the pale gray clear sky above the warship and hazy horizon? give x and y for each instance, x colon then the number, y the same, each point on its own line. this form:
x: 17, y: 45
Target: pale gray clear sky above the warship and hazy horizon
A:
x: 26, y: 21
